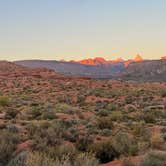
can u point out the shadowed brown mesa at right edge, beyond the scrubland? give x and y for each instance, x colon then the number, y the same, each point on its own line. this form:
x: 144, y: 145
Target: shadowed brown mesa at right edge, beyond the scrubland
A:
x: 149, y: 70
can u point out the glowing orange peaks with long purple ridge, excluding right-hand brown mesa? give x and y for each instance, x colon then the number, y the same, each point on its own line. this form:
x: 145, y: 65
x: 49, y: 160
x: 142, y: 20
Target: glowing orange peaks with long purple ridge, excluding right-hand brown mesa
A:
x: 96, y: 68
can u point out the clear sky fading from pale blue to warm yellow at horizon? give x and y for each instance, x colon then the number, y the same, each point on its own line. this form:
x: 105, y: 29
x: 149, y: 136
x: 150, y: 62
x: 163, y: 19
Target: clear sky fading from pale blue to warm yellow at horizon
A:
x: 78, y: 29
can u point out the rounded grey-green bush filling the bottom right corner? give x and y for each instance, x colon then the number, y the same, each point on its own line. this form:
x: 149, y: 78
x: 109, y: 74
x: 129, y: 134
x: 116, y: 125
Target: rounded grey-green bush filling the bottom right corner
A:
x: 154, y: 158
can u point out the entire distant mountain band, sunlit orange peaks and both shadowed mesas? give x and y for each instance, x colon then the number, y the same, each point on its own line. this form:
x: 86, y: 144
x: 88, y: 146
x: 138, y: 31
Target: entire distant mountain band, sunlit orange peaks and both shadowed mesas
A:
x: 99, y: 68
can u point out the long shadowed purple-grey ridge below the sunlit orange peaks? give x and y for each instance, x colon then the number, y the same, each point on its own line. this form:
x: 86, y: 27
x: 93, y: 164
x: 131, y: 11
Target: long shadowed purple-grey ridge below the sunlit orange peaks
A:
x: 75, y: 69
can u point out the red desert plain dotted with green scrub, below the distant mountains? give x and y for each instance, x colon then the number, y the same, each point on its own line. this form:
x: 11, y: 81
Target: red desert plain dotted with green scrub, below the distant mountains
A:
x: 81, y: 122
